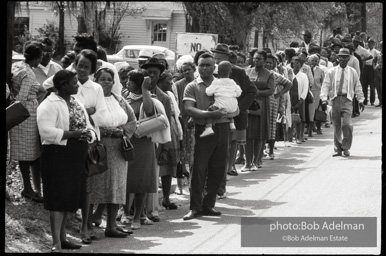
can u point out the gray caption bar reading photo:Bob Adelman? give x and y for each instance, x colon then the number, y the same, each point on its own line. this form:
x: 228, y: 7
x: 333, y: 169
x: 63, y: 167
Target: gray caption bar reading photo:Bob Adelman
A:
x: 308, y: 232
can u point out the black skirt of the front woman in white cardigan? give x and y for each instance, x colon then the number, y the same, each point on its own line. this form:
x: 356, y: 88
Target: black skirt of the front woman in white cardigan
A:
x: 63, y: 174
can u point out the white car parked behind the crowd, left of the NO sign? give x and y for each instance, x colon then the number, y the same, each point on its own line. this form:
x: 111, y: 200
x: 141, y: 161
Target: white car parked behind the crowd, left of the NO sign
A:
x: 129, y: 53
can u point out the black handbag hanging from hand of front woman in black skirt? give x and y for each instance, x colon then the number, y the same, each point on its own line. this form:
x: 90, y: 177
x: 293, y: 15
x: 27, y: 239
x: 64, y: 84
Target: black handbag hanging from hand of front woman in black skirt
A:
x: 96, y: 158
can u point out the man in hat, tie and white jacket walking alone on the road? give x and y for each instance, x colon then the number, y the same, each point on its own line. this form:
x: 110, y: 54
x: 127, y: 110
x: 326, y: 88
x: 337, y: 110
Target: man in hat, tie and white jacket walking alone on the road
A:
x: 340, y: 84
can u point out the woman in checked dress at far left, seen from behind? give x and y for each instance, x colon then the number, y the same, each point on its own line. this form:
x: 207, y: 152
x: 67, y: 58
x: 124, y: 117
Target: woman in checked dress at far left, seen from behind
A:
x: 25, y: 144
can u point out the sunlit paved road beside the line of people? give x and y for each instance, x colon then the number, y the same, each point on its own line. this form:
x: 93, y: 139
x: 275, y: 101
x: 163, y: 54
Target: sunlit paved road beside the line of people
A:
x: 304, y: 181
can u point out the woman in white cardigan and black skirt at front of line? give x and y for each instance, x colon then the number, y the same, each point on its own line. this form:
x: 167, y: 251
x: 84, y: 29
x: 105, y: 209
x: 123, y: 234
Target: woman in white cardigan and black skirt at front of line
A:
x: 64, y: 128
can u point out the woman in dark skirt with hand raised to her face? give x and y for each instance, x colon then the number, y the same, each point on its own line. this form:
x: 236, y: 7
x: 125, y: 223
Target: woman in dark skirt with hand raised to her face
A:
x: 141, y: 172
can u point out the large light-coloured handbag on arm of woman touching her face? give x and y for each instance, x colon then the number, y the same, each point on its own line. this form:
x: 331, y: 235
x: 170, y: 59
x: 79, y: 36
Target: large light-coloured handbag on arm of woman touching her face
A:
x: 151, y: 124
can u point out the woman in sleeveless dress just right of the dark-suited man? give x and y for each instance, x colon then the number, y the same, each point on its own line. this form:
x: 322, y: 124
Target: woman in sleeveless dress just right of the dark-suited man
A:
x: 258, y: 130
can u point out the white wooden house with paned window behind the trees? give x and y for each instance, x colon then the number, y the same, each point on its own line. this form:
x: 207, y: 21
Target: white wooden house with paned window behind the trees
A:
x: 156, y: 25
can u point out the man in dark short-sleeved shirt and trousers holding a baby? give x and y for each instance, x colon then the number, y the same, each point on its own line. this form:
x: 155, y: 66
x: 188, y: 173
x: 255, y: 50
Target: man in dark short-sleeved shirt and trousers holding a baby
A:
x: 209, y: 152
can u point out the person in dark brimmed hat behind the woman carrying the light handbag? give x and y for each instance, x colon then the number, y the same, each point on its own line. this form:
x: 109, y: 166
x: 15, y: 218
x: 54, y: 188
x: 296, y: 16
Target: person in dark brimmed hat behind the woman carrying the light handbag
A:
x: 155, y: 69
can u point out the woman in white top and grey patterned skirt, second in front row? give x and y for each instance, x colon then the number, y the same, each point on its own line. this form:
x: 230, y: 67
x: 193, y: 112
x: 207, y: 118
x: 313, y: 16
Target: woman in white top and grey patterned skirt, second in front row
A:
x: 110, y: 187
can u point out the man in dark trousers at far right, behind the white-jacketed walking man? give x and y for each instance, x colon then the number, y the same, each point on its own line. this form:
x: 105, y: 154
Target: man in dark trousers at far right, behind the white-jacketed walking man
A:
x: 368, y: 73
